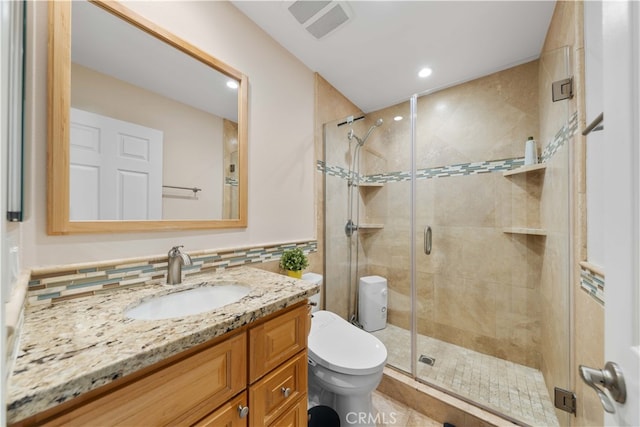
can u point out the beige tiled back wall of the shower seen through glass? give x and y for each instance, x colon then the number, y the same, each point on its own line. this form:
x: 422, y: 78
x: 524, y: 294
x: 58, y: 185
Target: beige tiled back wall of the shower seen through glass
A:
x: 479, y: 286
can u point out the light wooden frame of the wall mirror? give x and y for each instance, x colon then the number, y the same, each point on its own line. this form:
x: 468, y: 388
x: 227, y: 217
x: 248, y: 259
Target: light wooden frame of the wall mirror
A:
x: 58, y: 132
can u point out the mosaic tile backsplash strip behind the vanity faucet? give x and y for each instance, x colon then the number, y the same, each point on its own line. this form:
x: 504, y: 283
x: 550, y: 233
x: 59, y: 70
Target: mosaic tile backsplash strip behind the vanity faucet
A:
x: 52, y: 287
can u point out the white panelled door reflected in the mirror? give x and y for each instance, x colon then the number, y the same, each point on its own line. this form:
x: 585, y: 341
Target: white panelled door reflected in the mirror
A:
x: 115, y: 169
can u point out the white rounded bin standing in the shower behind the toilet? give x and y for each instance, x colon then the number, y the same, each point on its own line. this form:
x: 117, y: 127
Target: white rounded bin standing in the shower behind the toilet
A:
x: 372, y: 303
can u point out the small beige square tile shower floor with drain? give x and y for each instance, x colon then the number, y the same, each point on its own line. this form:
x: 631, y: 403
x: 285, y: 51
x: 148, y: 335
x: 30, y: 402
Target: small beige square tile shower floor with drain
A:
x: 514, y: 390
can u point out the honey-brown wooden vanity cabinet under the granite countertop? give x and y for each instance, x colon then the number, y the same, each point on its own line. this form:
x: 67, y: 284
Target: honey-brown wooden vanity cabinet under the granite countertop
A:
x: 262, y: 367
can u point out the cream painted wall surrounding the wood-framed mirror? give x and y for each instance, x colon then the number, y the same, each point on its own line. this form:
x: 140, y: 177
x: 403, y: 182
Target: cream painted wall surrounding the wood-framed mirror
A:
x: 281, y: 151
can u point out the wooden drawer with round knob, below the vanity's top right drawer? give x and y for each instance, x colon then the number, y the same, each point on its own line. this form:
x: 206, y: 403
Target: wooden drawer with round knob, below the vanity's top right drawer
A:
x: 278, y: 390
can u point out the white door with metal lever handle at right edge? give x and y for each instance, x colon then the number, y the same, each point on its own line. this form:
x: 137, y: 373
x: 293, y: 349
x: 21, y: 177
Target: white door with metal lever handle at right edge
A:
x: 621, y: 44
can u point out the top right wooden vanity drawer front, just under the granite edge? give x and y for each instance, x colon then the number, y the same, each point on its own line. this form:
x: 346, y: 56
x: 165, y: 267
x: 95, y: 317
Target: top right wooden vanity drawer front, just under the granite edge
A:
x: 276, y: 340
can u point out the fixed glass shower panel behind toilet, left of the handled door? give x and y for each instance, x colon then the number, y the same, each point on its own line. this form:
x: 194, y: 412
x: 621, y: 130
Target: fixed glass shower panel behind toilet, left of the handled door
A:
x: 367, y: 176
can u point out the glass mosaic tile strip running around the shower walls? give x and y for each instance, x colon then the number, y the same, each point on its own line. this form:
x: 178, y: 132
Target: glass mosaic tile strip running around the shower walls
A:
x: 462, y: 169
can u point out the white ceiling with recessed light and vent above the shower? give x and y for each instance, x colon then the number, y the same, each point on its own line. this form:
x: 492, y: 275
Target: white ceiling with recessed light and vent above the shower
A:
x: 374, y: 57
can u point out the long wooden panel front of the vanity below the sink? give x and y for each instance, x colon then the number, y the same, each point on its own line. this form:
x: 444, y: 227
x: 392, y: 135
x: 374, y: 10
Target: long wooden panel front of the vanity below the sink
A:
x: 180, y: 393
